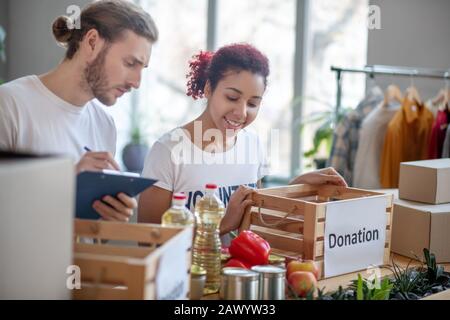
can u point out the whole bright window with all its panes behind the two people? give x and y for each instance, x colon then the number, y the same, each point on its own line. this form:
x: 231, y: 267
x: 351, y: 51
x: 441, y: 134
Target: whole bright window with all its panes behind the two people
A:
x: 337, y: 35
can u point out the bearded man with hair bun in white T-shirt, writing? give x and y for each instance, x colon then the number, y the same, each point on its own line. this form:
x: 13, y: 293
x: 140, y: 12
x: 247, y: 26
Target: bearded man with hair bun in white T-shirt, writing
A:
x: 56, y: 112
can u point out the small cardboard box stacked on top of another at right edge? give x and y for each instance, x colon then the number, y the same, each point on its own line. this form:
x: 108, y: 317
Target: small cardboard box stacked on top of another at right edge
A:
x: 425, y: 181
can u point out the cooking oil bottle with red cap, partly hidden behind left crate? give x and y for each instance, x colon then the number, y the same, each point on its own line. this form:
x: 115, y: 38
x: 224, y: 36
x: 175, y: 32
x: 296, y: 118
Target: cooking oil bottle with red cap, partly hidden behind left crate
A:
x: 178, y: 215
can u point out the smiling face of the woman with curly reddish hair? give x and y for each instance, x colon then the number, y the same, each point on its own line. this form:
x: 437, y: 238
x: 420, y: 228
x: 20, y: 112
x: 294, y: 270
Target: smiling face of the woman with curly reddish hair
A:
x: 235, y: 102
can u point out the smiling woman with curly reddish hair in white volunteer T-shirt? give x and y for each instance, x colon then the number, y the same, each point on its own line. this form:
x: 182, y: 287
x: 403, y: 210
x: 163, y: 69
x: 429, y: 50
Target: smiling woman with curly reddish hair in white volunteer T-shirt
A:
x: 216, y: 147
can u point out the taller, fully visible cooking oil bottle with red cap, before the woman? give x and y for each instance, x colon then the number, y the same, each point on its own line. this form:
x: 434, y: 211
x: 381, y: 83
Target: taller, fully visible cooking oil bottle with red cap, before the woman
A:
x: 209, y: 211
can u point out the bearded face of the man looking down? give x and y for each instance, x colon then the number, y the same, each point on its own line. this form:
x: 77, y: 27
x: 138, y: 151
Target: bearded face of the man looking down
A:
x: 118, y: 68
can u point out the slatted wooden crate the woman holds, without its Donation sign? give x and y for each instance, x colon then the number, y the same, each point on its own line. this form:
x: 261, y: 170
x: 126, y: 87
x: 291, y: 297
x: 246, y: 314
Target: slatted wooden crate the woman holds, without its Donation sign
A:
x: 292, y: 219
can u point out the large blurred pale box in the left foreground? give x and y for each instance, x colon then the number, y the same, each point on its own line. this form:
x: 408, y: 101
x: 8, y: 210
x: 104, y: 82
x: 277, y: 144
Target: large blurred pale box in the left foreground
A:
x: 37, y: 201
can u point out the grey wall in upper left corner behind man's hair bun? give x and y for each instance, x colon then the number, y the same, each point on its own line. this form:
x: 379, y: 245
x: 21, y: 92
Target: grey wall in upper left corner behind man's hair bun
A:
x: 31, y: 47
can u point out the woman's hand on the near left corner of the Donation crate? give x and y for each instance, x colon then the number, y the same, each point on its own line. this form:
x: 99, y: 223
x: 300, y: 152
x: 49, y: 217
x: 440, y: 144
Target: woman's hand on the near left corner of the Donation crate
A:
x: 235, y: 209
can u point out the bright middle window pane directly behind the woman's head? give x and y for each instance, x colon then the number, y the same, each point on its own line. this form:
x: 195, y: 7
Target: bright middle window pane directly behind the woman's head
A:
x: 269, y: 25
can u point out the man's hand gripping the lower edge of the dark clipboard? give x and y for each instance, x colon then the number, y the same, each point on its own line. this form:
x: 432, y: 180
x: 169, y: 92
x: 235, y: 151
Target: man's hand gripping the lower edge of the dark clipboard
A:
x: 116, y: 209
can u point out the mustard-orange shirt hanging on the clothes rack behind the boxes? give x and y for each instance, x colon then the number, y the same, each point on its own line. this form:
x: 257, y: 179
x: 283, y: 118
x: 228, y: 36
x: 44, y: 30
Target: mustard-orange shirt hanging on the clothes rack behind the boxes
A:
x: 406, y: 139
